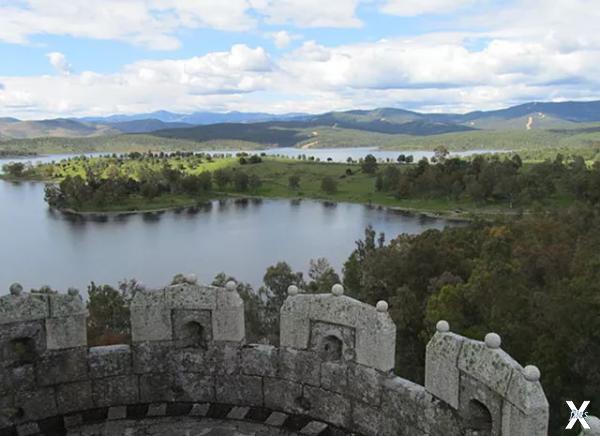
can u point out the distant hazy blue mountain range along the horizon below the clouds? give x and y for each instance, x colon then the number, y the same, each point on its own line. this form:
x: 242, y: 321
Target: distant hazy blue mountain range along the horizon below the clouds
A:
x: 295, y: 128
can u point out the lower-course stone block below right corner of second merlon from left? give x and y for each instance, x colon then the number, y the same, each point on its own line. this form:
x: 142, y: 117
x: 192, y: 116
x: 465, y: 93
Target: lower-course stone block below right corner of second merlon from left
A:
x: 239, y: 389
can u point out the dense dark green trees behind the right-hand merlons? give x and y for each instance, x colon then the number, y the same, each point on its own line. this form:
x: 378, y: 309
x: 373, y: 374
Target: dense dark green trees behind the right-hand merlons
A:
x: 534, y: 280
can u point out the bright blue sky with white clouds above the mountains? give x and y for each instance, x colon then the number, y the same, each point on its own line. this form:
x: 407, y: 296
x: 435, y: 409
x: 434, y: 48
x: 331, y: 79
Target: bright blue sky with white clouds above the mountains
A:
x: 74, y: 58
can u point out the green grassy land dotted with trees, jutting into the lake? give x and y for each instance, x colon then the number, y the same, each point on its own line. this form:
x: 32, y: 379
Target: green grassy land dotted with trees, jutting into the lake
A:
x: 490, y: 185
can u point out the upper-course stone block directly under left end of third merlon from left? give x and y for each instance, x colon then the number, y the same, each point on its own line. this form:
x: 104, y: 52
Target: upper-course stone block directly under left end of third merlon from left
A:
x: 300, y: 366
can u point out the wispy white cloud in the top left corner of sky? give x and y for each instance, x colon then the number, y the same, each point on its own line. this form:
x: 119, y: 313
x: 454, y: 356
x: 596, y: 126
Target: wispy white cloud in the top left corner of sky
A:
x: 150, y: 23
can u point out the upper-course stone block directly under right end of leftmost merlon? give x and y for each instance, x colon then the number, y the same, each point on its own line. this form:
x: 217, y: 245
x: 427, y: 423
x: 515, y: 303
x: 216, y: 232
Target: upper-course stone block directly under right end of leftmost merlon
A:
x: 62, y: 366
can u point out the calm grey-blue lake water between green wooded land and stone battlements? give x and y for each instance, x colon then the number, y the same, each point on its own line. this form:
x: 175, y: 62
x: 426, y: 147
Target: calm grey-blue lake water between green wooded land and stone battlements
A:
x: 40, y: 246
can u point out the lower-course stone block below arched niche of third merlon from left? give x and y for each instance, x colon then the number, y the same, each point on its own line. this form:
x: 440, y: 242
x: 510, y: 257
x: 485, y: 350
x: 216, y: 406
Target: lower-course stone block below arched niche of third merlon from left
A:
x: 328, y: 406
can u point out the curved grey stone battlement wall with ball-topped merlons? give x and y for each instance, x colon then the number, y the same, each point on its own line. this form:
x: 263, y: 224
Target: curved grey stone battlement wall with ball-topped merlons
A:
x: 332, y: 373
